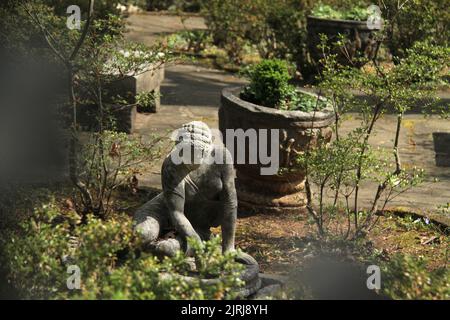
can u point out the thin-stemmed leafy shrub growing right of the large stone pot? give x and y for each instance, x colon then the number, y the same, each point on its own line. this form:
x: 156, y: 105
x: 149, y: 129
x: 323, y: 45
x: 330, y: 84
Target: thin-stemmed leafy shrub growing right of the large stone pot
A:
x: 338, y: 169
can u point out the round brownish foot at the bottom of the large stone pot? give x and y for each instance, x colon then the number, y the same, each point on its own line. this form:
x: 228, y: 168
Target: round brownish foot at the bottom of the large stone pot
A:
x: 266, y: 203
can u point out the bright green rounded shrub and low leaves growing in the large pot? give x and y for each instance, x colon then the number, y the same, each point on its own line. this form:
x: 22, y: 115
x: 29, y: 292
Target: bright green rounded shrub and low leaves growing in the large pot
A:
x: 269, y: 86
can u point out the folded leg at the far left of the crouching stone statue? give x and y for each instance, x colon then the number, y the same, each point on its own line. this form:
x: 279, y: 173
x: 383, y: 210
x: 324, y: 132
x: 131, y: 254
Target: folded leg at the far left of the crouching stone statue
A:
x: 151, y: 218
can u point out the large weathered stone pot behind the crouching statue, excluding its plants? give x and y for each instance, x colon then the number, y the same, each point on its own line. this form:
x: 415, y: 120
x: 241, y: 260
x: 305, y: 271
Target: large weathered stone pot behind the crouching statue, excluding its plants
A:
x: 298, y: 131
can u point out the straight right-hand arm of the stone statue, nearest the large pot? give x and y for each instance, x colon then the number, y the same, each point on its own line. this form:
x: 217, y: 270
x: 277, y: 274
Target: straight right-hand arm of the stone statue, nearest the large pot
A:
x: 229, y: 200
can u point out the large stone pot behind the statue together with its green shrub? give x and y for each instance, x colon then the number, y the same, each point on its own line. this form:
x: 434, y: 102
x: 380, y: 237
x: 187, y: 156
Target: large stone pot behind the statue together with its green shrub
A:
x: 301, y: 119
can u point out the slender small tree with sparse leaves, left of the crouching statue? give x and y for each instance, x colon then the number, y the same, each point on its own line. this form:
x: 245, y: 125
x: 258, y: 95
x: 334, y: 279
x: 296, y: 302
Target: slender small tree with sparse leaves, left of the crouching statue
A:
x: 94, y: 59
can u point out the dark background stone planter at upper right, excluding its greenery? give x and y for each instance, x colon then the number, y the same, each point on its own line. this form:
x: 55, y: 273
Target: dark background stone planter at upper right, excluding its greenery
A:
x: 361, y: 42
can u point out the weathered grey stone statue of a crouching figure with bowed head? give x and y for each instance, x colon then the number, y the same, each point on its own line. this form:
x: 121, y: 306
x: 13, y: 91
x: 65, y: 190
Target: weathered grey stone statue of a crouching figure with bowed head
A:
x: 197, y: 194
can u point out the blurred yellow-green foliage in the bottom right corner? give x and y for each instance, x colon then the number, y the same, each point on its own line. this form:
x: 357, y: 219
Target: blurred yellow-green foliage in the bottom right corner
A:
x: 408, y: 277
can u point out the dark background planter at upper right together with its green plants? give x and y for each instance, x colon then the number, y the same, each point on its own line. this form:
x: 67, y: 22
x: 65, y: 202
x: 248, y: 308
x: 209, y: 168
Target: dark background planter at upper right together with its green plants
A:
x: 347, y: 33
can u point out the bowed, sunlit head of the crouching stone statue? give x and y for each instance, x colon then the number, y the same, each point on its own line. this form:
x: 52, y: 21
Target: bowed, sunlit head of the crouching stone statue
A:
x: 193, y: 143
